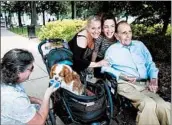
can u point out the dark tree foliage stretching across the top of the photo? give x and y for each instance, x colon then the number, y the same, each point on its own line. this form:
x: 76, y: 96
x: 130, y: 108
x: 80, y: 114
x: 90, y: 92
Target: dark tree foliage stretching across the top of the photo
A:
x: 146, y: 12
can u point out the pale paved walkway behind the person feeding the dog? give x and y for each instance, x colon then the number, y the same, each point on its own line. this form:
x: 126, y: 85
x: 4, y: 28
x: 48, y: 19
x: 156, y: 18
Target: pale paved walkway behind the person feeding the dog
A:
x: 39, y: 79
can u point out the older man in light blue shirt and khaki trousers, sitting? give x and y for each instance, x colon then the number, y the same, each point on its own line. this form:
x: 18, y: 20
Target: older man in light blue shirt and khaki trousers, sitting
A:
x: 137, y: 77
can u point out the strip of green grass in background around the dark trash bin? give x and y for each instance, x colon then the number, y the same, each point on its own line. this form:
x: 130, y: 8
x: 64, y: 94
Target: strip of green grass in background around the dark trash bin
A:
x: 23, y: 30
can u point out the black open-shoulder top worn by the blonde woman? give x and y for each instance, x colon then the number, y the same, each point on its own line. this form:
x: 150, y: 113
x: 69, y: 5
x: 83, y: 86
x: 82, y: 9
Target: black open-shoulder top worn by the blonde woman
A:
x: 81, y: 56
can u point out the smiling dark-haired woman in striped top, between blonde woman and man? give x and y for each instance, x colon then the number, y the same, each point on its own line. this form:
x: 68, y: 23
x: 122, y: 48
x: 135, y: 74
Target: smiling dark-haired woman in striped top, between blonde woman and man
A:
x: 107, y: 38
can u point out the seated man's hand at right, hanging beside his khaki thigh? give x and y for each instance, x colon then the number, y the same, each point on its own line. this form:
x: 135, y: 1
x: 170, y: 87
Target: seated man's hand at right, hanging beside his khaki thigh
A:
x: 153, y: 85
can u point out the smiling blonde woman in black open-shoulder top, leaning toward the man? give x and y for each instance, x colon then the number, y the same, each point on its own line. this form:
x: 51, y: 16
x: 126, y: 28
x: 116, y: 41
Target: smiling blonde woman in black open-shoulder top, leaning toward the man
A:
x: 82, y: 45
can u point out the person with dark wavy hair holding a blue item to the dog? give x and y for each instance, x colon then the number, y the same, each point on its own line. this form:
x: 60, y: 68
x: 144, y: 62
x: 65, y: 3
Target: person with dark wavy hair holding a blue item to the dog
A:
x: 16, y: 106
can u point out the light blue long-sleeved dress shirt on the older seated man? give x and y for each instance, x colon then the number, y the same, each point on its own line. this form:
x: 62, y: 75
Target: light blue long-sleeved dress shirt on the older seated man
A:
x: 133, y: 60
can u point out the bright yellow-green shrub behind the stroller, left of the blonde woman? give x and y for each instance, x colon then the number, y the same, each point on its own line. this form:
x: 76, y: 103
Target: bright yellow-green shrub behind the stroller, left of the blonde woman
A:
x: 64, y: 29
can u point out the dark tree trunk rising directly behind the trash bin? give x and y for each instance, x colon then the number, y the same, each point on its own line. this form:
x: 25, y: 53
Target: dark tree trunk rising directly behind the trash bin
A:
x: 33, y: 13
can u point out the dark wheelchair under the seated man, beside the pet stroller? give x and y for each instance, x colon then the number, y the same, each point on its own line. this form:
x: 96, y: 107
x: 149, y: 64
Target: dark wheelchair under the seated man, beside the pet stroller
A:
x: 122, y: 104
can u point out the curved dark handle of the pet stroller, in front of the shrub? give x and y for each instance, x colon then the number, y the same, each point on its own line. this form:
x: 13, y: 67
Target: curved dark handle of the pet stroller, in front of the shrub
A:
x: 46, y: 41
